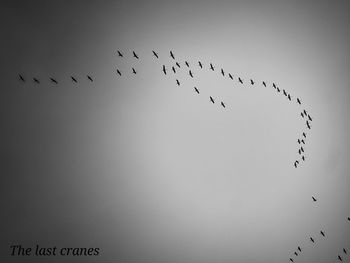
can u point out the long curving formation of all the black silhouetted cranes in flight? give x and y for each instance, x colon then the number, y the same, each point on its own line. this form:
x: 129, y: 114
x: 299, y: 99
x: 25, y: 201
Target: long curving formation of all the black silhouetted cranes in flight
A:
x: 173, y: 68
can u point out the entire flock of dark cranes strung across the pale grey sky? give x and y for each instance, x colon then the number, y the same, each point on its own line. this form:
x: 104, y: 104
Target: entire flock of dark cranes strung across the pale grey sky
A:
x: 176, y: 66
